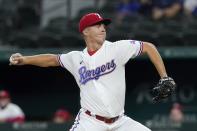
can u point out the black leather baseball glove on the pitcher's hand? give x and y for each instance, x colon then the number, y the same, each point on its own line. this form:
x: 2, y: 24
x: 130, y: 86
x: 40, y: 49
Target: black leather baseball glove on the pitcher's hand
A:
x: 163, y: 89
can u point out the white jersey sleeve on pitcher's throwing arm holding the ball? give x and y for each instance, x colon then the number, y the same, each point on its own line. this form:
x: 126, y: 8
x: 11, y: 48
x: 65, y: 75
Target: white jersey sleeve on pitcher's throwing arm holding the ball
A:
x: 65, y: 61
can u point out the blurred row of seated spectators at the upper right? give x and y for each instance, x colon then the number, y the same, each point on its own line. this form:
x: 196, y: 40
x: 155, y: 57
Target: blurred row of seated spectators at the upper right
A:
x: 156, y: 9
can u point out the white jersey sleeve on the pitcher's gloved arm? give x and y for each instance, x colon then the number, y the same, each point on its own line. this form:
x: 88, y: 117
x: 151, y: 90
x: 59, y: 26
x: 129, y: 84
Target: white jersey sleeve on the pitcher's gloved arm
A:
x: 126, y: 49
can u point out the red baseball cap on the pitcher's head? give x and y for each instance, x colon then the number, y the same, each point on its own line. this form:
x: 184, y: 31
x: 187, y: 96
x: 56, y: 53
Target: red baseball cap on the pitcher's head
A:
x: 92, y: 19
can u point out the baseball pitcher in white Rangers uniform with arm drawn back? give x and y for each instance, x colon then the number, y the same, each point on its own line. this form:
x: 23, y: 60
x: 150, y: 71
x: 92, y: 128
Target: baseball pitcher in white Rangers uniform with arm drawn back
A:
x: 99, y: 71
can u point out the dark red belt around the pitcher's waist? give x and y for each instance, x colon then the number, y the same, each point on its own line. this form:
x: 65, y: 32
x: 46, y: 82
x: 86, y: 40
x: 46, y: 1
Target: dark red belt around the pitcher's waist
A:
x: 104, y: 119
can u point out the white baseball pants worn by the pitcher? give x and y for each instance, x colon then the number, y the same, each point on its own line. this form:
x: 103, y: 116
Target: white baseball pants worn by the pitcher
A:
x: 84, y: 122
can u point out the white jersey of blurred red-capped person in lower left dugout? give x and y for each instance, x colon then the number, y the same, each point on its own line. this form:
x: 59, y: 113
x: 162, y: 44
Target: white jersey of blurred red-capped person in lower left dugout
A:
x: 11, y: 111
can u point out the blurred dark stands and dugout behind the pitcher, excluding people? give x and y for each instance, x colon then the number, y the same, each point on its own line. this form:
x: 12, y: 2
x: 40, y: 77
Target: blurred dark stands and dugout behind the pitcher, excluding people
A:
x: 51, y: 26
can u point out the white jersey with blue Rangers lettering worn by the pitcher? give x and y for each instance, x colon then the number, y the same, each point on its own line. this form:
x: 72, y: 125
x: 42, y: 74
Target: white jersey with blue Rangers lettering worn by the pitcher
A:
x: 101, y: 77
